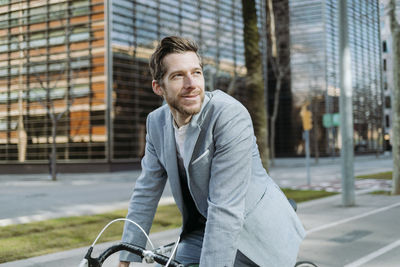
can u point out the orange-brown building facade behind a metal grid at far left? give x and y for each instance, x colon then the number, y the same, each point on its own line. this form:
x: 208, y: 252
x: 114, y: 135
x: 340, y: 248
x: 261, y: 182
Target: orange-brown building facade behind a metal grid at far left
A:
x: 52, y: 69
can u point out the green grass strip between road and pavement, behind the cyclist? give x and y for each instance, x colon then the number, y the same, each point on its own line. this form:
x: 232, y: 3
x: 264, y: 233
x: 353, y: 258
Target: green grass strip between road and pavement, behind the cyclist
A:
x: 33, y: 239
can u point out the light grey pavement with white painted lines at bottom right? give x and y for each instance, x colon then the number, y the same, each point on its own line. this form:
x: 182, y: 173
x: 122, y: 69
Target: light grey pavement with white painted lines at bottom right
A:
x: 364, y: 235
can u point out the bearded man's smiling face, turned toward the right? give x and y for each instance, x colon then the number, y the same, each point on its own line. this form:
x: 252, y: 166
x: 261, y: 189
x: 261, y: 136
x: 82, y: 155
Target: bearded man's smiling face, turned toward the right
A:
x: 183, y: 84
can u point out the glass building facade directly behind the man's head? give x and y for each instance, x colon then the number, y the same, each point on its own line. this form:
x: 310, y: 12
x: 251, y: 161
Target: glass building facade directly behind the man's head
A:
x: 136, y: 26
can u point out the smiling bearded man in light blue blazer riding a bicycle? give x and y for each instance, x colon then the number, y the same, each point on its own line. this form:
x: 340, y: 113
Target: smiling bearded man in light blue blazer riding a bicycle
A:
x: 233, y: 213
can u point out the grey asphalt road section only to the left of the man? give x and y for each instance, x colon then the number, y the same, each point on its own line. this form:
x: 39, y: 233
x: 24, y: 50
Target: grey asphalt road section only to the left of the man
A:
x: 25, y: 198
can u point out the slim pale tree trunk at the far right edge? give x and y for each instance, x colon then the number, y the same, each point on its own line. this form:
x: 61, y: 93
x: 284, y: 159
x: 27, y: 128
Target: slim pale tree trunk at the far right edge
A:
x: 395, y: 30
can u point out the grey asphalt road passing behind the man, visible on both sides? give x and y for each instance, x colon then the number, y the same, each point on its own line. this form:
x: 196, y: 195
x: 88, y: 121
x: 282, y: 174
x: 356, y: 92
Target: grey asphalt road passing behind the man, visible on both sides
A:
x: 34, y: 197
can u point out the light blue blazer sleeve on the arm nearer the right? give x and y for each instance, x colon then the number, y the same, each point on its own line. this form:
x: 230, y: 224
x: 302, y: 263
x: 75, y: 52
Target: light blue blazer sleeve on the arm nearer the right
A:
x: 229, y: 178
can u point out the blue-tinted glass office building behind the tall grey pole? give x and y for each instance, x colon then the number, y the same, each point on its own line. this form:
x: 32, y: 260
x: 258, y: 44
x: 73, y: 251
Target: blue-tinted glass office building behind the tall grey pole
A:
x: 315, y: 70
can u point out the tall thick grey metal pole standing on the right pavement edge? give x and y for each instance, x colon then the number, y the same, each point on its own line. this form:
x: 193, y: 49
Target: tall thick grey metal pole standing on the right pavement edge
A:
x: 346, y: 109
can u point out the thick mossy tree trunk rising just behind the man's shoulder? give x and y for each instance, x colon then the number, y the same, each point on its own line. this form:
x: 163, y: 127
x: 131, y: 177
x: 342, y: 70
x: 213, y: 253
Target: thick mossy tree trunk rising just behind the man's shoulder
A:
x: 254, y: 78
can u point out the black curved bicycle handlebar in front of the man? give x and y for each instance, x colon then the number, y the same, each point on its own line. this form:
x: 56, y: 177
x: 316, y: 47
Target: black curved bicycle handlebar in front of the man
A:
x: 148, y: 255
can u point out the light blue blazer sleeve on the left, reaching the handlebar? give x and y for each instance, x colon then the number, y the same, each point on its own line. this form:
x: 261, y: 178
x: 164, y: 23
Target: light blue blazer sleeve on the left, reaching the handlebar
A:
x: 146, y: 195
